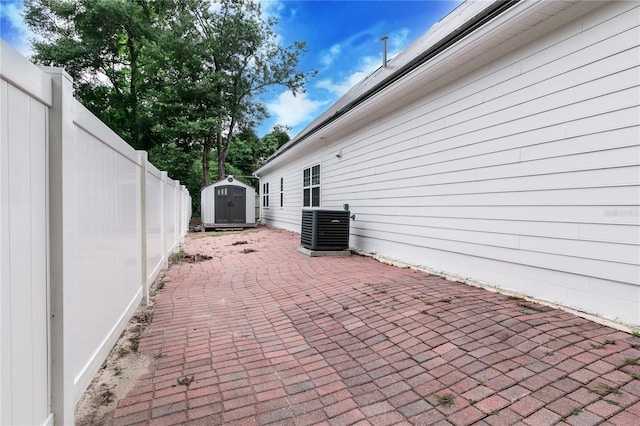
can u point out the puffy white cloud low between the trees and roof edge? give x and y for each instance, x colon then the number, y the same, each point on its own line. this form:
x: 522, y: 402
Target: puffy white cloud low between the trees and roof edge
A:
x: 292, y: 110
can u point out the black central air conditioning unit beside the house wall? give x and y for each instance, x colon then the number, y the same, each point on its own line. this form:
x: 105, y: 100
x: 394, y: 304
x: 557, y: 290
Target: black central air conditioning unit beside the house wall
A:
x: 325, y: 230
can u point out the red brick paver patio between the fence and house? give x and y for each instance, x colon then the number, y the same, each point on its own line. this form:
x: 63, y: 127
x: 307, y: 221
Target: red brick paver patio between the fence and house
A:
x: 262, y: 334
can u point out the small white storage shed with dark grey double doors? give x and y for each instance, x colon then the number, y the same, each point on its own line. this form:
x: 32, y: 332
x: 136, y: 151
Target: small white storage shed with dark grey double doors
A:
x: 228, y: 203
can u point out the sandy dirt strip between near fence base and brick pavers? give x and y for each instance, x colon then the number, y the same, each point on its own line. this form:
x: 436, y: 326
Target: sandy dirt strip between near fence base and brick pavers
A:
x: 120, y: 371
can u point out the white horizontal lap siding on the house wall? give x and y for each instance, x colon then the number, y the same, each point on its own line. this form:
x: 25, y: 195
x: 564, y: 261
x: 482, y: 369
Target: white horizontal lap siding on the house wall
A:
x: 523, y: 173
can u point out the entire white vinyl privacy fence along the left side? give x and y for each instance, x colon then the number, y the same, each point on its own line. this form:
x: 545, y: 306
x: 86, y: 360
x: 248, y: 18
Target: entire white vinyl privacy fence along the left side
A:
x: 86, y: 224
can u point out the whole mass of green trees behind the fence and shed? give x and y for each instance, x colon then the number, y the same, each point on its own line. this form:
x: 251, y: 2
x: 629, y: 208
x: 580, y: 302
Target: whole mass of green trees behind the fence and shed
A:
x: 178, y: 78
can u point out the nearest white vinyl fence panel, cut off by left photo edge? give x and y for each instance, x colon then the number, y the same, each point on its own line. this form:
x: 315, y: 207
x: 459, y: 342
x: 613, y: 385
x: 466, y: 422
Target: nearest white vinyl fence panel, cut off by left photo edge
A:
x: 24, y: 365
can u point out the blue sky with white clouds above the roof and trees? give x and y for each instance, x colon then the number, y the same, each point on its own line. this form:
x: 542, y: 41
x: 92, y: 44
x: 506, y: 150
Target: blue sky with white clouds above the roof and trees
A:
x: 343, y: 41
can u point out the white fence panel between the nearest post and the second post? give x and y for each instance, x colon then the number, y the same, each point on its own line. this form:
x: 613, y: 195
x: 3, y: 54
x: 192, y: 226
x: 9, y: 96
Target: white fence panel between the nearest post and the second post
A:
x: 101, y: 197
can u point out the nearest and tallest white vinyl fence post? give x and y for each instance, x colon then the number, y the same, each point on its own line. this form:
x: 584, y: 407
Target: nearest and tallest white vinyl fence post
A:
x: 60, y: 131
